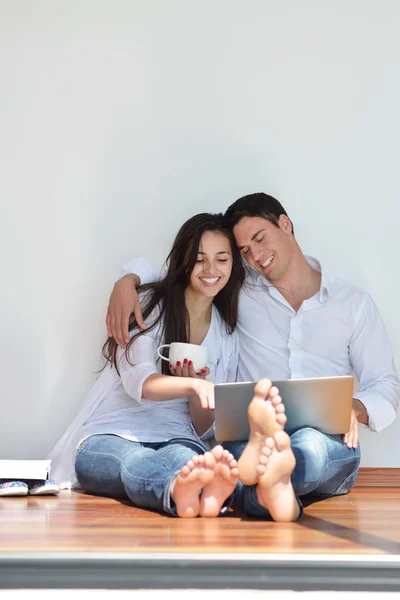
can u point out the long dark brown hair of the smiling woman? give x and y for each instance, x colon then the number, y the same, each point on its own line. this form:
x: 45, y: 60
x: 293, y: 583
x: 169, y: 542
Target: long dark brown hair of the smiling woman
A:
x: 168, y: 294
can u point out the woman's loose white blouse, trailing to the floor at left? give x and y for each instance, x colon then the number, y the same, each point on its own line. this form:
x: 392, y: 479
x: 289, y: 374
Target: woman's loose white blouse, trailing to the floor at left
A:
x: 115, y: 404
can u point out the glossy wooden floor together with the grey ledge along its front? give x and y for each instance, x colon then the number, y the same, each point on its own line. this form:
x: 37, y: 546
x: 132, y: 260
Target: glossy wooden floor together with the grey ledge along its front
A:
x: 78, y: 541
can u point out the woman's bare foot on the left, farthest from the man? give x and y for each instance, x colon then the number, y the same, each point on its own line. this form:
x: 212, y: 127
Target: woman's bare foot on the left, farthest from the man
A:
x: 187, y: 485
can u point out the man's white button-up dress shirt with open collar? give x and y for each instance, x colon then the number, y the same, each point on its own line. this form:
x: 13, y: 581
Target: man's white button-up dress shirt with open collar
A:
x: 336, y: 332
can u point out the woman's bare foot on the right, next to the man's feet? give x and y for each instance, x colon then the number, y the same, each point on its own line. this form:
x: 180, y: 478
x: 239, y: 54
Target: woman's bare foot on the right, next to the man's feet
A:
x: 226, y: 476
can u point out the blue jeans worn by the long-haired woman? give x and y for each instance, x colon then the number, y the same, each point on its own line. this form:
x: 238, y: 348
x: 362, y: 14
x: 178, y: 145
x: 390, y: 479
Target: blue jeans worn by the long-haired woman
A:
x: 108, y: 465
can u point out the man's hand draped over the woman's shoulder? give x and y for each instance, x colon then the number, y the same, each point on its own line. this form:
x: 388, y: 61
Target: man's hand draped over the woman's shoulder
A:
x: 123, y: 302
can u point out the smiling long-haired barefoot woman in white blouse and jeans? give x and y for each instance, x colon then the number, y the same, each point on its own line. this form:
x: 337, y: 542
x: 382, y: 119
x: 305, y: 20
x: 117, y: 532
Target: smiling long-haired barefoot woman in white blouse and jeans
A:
x: 143, y: 433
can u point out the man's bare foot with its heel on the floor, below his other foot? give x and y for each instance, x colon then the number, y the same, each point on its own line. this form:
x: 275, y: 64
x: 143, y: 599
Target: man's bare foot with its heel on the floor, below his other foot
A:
x: 274, y: 490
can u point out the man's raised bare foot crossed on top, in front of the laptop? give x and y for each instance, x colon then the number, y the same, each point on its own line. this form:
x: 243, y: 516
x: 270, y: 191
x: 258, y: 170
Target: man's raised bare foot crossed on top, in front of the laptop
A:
x: 266, y: 416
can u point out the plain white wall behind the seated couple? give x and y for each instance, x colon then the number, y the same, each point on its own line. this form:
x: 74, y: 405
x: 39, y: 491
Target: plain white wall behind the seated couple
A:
x: 119, y: 119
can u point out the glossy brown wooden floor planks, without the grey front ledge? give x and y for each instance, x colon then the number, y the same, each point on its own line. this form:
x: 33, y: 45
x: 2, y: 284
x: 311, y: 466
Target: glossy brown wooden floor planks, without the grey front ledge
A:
x: 366, y: 521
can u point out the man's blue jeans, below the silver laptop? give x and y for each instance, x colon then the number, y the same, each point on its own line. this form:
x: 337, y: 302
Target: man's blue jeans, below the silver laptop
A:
x: 324, y: 467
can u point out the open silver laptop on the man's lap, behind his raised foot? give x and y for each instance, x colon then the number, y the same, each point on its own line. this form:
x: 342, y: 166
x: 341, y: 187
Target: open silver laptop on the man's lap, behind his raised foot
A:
x: 323, y: 403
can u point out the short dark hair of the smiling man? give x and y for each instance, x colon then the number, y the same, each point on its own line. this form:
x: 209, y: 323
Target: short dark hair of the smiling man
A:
x: 255, y: 205
